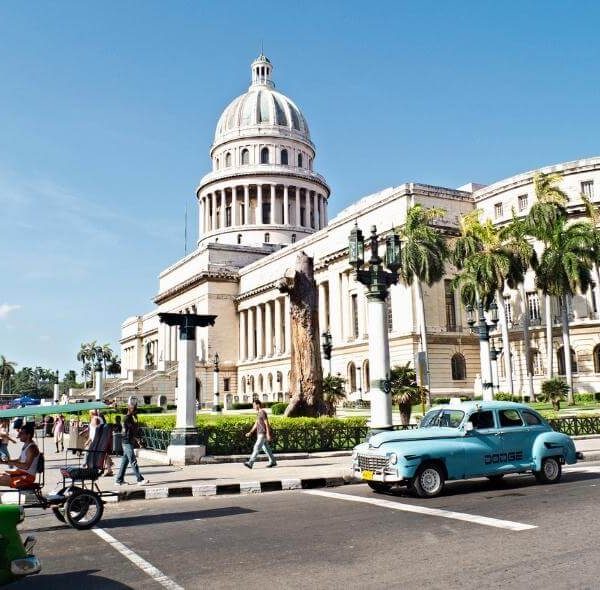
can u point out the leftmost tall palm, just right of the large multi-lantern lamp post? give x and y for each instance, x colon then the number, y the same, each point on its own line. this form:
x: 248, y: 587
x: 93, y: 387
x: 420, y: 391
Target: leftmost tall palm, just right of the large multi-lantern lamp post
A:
x: 423, y: 257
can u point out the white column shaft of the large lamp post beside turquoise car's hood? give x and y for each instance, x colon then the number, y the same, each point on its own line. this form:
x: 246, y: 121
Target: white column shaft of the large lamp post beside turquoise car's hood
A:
x: 379, y: 365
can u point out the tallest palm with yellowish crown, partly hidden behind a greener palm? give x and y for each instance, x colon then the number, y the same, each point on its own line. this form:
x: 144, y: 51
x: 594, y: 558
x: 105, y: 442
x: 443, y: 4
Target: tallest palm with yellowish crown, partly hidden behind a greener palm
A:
x: 549, y: 206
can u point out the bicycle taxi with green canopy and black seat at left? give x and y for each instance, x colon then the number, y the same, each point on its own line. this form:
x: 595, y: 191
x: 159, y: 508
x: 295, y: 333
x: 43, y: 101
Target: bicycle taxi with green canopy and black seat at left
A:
x: 78, y: 500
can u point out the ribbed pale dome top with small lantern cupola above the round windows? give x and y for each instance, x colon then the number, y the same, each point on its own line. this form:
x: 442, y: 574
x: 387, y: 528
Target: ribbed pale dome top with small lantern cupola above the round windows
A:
x: 261, y: 107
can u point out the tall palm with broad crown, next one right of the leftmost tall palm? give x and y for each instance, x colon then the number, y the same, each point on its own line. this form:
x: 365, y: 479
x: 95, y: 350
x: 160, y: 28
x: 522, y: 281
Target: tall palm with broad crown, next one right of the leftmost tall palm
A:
x: 492, y: 258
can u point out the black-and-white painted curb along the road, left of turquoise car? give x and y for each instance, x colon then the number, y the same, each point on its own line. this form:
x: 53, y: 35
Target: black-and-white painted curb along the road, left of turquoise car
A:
x: 242, y: 488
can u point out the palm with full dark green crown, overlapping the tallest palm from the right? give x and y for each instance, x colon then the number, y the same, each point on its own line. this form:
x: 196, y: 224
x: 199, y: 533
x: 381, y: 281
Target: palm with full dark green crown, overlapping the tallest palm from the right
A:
x: 564, y: 269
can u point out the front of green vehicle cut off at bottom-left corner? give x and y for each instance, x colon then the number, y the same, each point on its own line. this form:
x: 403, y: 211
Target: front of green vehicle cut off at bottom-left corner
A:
x: 16, y: 557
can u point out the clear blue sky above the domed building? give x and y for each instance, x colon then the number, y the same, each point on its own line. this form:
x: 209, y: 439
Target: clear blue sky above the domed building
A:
x: 107, y: 112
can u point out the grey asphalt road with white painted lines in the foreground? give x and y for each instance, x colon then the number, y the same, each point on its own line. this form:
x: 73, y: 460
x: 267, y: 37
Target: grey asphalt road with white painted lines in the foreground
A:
x: 518, y: 534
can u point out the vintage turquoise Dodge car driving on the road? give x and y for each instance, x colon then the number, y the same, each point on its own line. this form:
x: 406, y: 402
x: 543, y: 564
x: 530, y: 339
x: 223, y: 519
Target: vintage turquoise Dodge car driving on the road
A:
x: 461, y: 441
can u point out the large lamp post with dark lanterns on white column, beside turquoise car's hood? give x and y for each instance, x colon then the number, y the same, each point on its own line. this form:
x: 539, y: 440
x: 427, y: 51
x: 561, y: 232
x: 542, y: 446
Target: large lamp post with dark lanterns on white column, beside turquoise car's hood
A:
x: 377, y: 280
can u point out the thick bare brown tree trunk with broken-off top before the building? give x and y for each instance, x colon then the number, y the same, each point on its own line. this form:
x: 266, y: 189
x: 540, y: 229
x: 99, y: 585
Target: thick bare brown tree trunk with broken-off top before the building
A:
x: 306, y: 379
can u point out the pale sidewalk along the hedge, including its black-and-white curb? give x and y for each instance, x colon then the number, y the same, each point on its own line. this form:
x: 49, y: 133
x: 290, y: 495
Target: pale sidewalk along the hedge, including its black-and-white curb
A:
x: 226, y: 477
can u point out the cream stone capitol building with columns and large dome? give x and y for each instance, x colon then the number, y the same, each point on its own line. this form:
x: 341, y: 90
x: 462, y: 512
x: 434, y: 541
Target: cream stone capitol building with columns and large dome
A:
x: 260, y: 205
